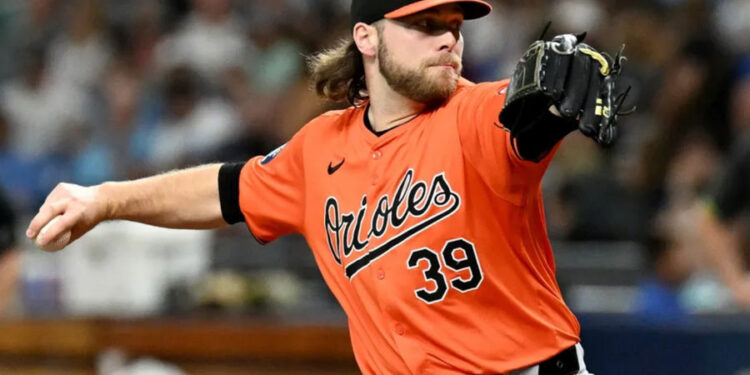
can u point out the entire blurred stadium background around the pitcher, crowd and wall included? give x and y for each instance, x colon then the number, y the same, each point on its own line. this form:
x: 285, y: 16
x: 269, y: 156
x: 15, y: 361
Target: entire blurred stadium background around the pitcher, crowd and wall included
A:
x: 95, y: 90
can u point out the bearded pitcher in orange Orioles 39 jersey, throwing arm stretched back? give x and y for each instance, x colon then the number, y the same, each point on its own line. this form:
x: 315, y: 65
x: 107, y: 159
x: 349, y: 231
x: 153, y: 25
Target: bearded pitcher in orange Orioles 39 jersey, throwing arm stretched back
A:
x: 421, y: 202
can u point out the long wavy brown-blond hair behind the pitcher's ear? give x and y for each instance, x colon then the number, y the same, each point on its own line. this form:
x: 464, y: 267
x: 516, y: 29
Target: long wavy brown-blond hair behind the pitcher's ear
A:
x: 338, y: 73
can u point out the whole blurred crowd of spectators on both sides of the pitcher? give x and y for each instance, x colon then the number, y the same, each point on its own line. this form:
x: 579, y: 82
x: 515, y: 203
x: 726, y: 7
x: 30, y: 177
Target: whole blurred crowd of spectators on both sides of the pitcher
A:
x: 95, y: 90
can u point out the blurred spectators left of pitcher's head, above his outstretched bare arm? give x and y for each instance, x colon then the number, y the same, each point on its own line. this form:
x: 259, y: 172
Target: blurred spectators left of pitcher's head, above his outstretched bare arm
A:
x: 98, y: 90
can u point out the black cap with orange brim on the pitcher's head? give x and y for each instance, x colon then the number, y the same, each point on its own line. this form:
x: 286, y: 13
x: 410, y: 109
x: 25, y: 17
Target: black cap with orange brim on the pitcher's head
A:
x: 369, y: 11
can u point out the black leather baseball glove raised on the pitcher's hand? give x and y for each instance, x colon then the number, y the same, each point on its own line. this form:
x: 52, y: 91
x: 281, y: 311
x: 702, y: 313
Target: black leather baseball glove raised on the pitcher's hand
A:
x: 570, y: 77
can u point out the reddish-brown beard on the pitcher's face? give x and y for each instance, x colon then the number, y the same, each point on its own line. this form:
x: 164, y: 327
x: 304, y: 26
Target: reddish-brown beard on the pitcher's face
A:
x: 422, y: 85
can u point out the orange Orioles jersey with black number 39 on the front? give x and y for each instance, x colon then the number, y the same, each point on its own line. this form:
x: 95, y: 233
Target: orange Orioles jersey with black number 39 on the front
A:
x: 431, y: 236
